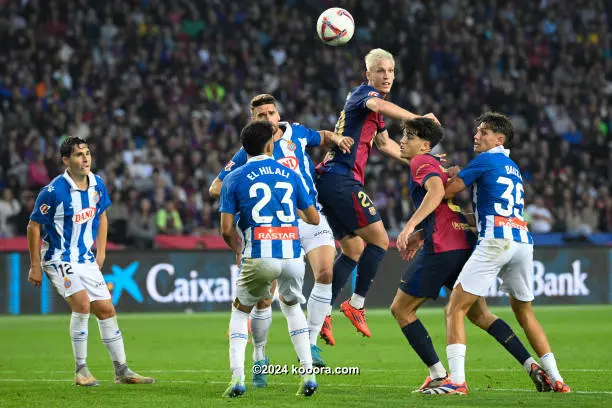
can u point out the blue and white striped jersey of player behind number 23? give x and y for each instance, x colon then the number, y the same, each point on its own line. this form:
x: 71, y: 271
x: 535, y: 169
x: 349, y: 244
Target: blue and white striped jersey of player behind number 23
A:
x: 290, y: 151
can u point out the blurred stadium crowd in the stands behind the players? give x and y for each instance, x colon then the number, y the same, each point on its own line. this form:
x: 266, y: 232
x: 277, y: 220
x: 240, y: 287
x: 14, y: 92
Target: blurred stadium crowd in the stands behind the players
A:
x: 161, y: 90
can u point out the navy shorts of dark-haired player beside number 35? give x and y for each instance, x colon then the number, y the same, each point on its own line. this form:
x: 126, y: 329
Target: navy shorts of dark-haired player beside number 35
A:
x: 429, y: 272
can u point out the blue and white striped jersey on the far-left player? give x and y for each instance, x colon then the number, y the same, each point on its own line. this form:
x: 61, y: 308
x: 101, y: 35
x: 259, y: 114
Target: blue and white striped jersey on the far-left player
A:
x: 70, y: 218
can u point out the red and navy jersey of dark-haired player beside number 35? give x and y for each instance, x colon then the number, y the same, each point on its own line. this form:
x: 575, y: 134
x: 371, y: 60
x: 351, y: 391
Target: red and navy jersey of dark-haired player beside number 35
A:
x: 445, y: 229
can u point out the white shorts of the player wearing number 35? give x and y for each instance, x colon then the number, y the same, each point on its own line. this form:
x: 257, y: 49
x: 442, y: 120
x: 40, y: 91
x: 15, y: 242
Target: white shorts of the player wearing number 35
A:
x: 510, y: 260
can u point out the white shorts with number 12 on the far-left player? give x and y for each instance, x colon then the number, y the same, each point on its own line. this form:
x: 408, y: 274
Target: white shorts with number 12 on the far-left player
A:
x: 69, y: 278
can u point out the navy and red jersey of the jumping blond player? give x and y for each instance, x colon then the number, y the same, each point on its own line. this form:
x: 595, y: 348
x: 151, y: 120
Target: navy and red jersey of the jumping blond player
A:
x: 360, y: 123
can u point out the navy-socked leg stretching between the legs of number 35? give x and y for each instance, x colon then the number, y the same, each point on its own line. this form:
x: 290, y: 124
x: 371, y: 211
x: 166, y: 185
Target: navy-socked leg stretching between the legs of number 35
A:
x: 481, y: 316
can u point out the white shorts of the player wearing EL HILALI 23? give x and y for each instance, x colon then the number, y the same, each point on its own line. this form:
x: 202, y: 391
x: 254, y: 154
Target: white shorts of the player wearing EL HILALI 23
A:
x: 257, y: 274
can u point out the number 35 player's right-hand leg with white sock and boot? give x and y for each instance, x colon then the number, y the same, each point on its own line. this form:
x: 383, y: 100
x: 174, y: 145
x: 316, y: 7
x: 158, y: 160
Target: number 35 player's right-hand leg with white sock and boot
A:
x: 538, y: 340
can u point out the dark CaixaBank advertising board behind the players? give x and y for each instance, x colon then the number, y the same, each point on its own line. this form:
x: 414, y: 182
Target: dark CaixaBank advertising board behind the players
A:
x: 200, y: 281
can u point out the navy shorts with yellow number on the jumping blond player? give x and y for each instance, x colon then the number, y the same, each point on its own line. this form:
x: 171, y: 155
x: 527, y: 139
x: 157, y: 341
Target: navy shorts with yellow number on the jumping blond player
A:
x: 345, y: 204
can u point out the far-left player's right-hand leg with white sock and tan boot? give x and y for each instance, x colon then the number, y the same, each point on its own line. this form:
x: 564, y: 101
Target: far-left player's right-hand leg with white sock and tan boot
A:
x: 113, y: 341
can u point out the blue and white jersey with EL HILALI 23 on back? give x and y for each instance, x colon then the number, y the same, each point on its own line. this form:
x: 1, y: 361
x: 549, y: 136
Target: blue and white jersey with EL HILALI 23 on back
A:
x: 265, y: 197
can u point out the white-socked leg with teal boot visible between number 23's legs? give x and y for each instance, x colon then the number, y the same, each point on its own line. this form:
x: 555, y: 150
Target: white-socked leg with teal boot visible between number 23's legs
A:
x: 261, y: 319
